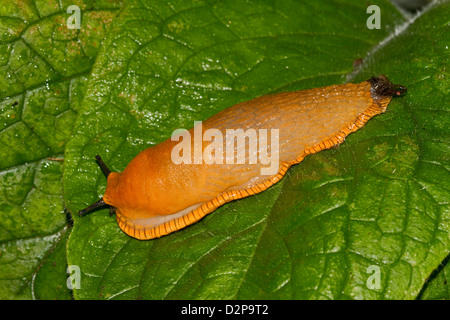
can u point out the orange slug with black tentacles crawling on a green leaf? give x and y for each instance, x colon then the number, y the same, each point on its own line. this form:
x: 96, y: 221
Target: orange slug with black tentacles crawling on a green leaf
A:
x: 158, y: 194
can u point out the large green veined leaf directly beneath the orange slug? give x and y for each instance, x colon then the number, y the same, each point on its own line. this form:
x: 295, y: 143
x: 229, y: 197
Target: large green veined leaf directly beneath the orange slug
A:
x: 376, y: 203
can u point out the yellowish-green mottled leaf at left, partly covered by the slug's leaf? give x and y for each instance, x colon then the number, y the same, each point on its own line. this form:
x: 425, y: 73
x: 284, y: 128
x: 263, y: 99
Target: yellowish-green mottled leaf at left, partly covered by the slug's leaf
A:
x: 44, y: 67
